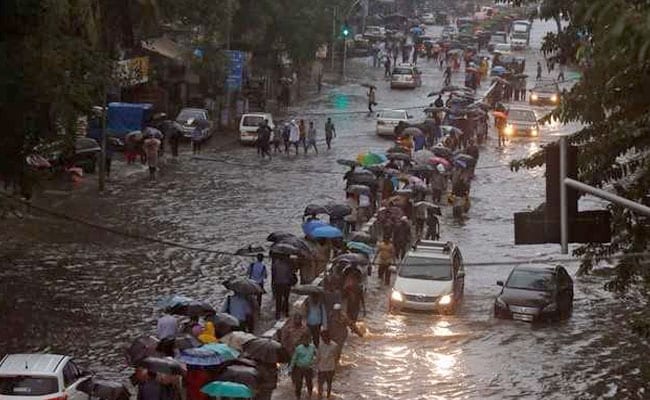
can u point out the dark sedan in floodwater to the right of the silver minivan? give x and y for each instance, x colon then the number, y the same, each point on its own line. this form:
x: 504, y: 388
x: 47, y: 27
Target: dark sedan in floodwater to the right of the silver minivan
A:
x: 535, y: 293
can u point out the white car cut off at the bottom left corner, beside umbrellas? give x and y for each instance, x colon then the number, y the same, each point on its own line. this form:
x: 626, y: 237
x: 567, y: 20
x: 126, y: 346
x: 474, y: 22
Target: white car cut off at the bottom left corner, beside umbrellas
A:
x: 41, y: 377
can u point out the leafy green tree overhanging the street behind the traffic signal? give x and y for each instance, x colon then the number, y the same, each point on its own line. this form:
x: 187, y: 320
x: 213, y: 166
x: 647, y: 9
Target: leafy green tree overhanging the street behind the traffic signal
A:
x: 611, y: 101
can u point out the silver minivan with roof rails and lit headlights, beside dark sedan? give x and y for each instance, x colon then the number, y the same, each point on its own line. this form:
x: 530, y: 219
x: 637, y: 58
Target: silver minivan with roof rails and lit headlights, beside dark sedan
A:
x: 431, y: 277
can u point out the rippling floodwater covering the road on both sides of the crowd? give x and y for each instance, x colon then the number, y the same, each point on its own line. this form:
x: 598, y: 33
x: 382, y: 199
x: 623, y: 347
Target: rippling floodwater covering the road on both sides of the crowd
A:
x: 77, y: 290
